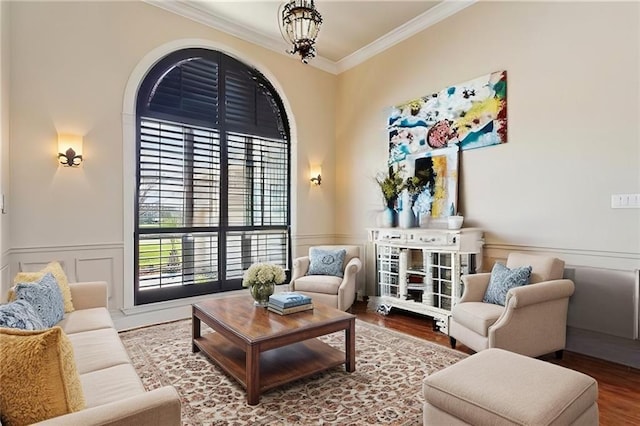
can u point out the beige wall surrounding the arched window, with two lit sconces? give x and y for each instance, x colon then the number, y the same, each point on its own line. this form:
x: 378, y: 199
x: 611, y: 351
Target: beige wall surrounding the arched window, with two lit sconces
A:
x: 70, y: 63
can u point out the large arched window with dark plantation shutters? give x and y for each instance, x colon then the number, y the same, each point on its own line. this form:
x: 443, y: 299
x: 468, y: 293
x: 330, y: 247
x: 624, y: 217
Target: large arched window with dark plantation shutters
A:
x: 213, y: 176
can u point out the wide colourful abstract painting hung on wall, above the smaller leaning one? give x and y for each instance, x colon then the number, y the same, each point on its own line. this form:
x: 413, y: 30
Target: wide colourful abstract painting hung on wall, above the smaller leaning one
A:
x: 470, y: 115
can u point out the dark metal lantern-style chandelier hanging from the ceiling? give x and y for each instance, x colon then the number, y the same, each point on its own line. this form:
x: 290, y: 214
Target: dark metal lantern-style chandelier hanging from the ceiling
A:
x: 300, y: 26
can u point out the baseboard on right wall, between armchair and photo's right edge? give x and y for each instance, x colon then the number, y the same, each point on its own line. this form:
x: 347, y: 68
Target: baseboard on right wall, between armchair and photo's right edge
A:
x: 604, y: 346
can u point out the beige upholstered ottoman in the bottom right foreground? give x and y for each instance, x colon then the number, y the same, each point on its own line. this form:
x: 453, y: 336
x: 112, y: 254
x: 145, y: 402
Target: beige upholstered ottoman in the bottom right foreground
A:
x: 497, y: 387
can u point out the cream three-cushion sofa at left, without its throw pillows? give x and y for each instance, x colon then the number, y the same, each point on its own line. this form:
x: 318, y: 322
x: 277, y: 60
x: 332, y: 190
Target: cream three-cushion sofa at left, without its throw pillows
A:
x: 113, y: 391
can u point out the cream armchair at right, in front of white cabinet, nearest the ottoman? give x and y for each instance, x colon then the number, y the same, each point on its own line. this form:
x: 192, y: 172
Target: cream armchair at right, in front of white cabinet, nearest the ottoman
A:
x: 533, y: 321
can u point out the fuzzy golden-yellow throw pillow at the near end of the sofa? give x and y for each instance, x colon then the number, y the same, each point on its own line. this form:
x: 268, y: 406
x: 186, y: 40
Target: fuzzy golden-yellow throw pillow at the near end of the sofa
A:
x: 38, y: 375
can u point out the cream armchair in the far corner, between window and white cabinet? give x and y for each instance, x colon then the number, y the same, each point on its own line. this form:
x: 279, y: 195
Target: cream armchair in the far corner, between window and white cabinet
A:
x: 330, y: 290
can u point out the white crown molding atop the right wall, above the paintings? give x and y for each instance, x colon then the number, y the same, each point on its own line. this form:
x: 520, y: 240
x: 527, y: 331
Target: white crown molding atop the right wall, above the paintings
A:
x: 438, y: 13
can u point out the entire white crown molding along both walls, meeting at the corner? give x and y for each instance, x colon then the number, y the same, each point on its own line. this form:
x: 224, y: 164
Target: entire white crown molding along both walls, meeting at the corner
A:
x: 193, y: 11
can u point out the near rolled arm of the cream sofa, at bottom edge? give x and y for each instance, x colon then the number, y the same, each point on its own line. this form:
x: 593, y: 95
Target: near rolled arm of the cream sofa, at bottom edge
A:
x: 158, y: 407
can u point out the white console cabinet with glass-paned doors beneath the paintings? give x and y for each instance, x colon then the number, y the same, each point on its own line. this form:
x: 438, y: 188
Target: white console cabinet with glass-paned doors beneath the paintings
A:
x: 419, y: 269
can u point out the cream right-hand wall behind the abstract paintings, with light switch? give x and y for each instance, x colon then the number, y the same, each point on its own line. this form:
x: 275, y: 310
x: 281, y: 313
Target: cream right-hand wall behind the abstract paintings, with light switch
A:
x: 573, y: 136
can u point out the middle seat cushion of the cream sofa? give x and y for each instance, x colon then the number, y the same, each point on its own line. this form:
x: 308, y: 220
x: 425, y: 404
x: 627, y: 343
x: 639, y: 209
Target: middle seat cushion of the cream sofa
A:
x: 98, y: 349
